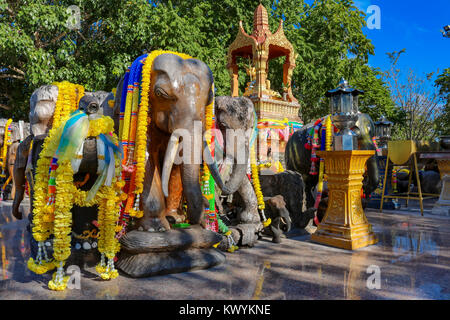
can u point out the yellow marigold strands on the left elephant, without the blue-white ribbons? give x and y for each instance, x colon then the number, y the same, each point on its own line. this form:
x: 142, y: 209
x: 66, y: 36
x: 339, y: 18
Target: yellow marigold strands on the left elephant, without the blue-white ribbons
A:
x: 58, y: 219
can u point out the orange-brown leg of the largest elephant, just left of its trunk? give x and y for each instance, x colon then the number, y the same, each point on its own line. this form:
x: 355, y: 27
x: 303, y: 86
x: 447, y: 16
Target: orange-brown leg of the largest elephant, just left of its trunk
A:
x: 175, y: 195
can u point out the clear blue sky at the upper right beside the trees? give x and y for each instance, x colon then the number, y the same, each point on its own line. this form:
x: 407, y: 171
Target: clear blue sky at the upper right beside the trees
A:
x: 414, y: 25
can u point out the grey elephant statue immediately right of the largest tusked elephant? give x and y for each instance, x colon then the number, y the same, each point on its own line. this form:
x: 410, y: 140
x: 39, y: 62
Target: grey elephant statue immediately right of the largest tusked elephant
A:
x: 236, y: 120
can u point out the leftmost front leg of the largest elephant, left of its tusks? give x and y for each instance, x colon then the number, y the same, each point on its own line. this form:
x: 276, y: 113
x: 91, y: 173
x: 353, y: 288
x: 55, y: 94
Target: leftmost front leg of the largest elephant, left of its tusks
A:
x: 153, y: 201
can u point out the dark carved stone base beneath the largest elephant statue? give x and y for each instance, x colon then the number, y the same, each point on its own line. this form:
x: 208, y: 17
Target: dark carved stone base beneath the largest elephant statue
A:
x: 145, y: 254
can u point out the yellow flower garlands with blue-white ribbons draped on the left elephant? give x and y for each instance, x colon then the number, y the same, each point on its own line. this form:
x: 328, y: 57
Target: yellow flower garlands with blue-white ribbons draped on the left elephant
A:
x: 52, y: 209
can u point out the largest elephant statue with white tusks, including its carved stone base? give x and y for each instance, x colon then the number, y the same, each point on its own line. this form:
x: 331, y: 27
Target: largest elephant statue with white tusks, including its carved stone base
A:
x: 180, y: 92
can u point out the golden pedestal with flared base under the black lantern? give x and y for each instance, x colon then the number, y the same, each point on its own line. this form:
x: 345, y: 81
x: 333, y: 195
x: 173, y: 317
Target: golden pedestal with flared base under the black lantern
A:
x: 345, y: 225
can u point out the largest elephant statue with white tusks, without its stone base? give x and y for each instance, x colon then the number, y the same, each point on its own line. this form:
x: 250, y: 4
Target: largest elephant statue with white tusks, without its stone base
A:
x: 180, y: 91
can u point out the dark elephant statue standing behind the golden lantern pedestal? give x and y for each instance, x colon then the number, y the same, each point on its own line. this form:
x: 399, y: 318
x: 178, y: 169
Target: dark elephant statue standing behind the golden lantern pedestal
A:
x: 298, y: 158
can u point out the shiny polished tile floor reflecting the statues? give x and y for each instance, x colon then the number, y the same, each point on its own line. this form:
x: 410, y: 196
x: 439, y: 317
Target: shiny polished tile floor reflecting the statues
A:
x: 410, y: 261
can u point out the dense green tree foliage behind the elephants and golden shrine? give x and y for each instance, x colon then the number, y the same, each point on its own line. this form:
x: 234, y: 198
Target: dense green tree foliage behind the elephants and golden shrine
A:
x: 37, y: 47
